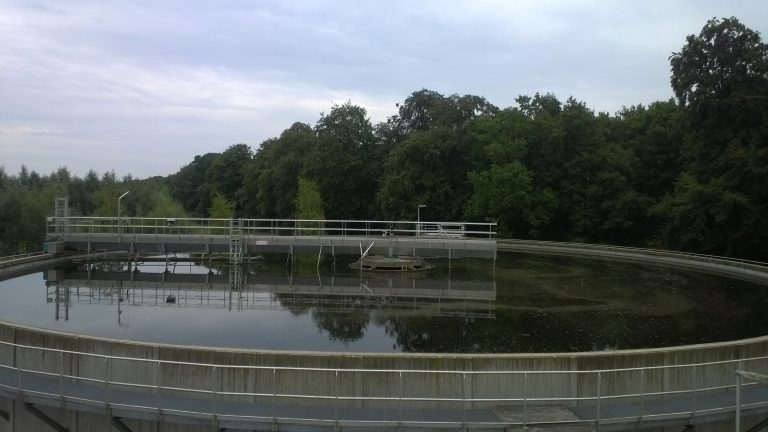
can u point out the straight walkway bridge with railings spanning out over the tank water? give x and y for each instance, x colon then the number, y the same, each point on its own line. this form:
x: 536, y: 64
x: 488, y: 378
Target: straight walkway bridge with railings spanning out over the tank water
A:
x: 242, y: 237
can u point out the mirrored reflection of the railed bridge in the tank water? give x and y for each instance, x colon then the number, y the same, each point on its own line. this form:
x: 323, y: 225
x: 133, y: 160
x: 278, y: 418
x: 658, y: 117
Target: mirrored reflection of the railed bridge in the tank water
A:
x: 433, y: 297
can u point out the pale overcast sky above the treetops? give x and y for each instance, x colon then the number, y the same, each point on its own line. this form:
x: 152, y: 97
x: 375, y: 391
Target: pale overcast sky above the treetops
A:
x: 141, y: 87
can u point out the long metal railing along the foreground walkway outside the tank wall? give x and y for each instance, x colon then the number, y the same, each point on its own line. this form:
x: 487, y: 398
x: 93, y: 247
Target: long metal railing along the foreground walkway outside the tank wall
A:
x: 395, y: 390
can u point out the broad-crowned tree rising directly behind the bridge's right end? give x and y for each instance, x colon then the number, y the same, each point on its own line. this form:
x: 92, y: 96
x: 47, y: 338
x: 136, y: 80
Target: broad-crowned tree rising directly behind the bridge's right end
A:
x: 432, y: 152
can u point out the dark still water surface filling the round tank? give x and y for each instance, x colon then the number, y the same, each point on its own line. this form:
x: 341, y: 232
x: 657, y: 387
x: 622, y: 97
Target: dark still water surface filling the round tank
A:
x: 525, y: 303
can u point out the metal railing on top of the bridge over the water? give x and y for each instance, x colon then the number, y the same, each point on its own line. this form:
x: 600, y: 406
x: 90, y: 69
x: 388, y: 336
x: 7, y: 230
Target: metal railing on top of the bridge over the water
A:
x: 268, y: 227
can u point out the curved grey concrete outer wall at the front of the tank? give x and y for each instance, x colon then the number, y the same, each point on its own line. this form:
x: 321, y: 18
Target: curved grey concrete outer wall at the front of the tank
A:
x: 429, y: 381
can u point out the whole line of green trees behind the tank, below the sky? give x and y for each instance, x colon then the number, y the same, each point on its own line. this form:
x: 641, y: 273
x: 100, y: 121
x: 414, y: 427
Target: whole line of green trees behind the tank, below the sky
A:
x: 686, y: 173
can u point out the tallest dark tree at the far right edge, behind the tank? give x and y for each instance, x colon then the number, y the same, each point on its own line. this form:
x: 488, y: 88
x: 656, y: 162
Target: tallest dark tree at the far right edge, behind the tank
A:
x: 720, y: 78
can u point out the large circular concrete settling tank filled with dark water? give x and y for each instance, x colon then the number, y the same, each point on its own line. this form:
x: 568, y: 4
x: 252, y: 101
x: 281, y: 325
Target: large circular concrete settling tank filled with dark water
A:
x: 546, y: 322
